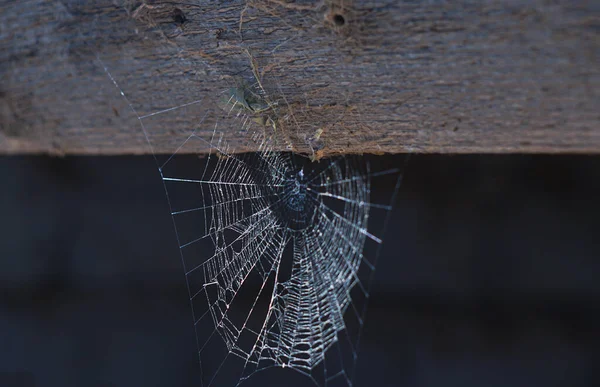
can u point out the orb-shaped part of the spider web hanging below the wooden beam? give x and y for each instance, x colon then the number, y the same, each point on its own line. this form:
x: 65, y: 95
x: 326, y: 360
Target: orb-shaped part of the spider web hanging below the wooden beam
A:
x: 274, y: 259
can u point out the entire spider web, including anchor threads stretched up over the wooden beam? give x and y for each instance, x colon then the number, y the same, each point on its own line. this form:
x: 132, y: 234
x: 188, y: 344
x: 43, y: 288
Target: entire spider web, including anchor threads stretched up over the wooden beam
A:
x: 278, y: 251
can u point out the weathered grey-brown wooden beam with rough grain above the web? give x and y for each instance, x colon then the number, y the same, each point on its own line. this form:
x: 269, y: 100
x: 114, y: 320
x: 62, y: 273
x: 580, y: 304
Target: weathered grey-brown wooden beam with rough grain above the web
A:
x: 341, y: 77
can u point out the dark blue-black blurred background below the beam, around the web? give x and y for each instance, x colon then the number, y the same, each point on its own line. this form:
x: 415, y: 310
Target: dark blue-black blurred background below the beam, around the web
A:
x: 489, y: 276
